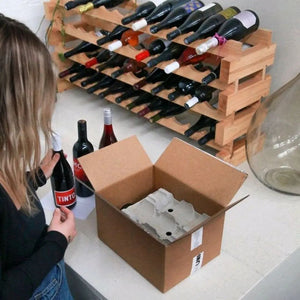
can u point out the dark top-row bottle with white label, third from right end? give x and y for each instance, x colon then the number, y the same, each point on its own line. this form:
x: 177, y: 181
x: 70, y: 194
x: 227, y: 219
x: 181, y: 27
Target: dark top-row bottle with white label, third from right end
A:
x: 195, y: 19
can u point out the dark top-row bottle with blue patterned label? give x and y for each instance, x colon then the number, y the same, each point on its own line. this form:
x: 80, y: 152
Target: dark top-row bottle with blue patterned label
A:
x: 177, y: 16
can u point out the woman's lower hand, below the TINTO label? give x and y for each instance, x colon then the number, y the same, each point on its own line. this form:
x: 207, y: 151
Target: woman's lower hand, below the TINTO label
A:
x: 63, y: 221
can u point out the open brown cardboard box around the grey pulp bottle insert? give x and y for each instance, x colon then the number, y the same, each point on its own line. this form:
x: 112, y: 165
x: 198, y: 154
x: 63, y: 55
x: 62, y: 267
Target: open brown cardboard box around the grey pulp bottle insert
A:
x: 123, y: 173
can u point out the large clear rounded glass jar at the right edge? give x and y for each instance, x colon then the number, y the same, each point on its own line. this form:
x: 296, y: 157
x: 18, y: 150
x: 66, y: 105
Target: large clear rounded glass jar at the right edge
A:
x: 273, y: 140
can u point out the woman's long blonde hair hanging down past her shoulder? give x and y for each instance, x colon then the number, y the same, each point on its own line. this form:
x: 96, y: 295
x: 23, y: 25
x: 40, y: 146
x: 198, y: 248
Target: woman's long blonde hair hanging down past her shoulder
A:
x: 27, y: 97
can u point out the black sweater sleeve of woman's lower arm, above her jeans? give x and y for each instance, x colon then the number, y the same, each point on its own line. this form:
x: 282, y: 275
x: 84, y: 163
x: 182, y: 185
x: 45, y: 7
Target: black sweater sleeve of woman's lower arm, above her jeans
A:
x: 24, y: 278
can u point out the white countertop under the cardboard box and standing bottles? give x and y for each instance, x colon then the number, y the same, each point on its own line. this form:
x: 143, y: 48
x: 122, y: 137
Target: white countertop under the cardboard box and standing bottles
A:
x: 259, y: 233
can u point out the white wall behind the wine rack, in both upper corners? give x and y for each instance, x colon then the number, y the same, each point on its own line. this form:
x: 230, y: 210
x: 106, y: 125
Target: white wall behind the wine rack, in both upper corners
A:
x: 281, y: 17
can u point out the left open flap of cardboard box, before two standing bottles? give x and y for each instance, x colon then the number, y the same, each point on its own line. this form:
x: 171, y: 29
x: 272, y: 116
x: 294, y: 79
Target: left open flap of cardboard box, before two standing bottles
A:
x: 114, y: 163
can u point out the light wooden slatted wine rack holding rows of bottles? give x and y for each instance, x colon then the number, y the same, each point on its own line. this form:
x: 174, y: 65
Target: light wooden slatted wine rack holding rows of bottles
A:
x: 243, y: 79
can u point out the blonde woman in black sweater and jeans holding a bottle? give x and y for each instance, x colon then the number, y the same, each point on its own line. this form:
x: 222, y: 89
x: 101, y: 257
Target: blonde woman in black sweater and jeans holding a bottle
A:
x: 31, y: 253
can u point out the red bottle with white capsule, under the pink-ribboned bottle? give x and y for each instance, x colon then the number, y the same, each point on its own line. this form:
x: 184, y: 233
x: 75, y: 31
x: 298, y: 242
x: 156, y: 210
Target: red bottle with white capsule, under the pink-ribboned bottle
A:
x: 188, y: 57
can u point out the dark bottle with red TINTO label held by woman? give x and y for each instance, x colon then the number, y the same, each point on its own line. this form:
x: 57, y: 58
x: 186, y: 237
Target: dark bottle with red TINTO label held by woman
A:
x: 62, y: 178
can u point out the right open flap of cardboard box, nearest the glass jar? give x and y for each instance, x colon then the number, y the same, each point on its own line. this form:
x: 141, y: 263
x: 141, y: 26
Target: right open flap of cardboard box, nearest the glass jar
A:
x: 201, y: 171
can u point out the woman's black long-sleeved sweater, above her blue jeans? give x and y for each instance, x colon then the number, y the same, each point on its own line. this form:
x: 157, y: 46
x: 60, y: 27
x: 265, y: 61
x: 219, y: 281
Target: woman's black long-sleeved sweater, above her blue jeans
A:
x: 27, y: 251
